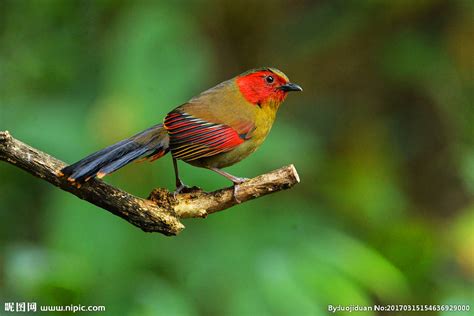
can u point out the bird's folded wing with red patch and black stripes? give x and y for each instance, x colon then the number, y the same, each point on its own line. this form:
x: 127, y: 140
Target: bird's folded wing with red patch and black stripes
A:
x: 192, y: 137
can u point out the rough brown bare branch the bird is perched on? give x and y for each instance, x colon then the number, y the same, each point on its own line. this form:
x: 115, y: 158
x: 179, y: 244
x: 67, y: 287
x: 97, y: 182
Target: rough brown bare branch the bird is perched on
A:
x: 161, y: 212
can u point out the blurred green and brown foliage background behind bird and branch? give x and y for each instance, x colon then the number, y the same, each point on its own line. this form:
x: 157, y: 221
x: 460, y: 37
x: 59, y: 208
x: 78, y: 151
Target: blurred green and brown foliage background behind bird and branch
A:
x: 382, y: 137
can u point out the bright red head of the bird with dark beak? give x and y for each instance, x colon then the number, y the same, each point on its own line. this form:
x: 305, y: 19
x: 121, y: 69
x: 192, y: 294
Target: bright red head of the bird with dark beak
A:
x: 263, y: 85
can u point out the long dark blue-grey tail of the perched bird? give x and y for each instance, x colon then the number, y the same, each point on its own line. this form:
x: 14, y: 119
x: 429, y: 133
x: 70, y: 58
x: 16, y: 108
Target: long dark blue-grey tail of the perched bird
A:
x: 150, y: 144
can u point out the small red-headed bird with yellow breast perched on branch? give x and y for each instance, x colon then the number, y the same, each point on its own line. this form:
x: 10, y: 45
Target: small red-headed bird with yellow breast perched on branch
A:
x: 216, y: 129
